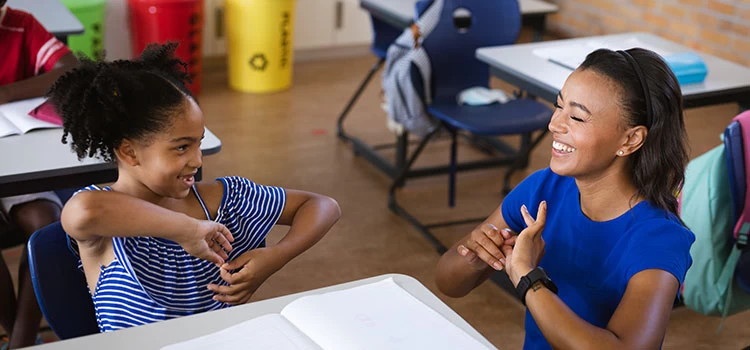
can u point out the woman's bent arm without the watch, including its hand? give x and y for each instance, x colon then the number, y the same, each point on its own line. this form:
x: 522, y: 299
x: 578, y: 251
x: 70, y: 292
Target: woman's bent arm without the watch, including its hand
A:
x: 473, y: 259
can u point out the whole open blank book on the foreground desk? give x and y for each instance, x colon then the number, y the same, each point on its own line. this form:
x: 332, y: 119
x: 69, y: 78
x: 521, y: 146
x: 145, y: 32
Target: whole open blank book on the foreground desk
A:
x: 381, y: 315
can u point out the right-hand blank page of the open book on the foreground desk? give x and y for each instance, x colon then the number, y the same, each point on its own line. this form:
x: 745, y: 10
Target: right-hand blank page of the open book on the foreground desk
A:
x: 375, y: 316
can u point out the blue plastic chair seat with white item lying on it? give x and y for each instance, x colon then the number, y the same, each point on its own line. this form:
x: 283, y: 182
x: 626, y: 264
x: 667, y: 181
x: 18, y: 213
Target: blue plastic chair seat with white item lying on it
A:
x: 514, y: 117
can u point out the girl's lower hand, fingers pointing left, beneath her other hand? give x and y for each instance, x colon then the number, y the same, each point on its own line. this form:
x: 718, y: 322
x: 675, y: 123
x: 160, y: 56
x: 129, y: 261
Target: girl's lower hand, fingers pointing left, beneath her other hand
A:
x: 254, y: 267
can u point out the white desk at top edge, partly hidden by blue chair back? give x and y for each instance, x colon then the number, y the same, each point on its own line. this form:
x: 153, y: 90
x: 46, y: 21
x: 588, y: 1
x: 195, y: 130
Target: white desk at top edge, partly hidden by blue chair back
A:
x: 400, y: 13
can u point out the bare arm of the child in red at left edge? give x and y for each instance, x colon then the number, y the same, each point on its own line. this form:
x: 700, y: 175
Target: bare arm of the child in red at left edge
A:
x: 38, y: 85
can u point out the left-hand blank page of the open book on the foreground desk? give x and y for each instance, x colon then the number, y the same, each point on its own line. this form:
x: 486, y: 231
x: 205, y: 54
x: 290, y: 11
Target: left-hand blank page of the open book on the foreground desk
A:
x: 268, y: 332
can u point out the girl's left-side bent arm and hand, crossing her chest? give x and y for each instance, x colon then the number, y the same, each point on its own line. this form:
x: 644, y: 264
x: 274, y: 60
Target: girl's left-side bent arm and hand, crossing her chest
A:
x: 91, y: 215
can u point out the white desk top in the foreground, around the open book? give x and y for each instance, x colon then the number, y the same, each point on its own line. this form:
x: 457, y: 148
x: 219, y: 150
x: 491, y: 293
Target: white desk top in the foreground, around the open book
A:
x: 159, y: 334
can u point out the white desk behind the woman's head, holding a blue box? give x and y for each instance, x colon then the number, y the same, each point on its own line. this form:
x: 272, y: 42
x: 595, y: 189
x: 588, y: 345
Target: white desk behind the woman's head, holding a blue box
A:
x: 518, y: 65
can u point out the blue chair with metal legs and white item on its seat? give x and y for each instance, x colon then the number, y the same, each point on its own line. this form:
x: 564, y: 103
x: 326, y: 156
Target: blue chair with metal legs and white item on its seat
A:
x: 451, y: 47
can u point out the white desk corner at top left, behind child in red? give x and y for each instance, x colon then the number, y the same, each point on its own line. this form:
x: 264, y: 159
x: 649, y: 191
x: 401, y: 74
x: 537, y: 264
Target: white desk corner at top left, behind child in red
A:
x: 52, y: 14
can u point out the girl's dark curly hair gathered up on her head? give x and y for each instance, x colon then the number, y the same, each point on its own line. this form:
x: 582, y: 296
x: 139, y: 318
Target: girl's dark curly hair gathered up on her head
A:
x: 102, y: 103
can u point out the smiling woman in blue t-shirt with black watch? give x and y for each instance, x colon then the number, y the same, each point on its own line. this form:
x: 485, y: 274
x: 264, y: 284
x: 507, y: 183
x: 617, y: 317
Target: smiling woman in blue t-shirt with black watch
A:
x: 614, y: 253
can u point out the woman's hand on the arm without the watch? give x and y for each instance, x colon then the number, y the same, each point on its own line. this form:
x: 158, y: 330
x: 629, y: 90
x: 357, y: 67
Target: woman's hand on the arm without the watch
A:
x: 483, y: 247
